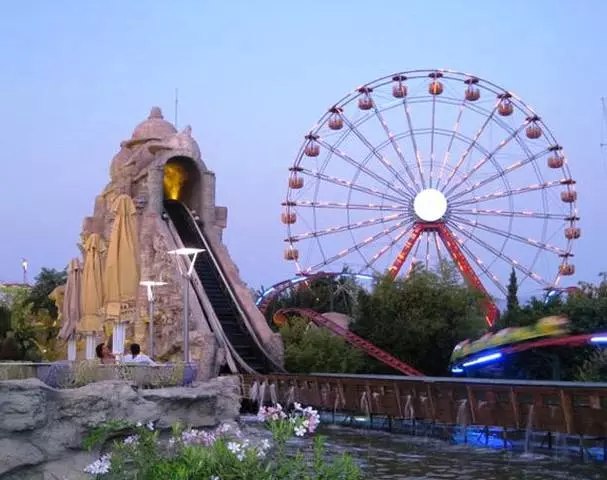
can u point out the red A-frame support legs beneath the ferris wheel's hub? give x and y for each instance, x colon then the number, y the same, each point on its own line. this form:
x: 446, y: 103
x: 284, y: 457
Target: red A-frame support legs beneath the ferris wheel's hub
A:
x: 458, y: 257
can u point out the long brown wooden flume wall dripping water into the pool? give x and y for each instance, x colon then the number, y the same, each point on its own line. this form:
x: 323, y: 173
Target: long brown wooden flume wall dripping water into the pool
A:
x: 565, y: 407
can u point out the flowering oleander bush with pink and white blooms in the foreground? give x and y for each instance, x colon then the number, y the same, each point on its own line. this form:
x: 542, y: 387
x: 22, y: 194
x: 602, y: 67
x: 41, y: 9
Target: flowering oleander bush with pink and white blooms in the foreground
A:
x: 222, y: 454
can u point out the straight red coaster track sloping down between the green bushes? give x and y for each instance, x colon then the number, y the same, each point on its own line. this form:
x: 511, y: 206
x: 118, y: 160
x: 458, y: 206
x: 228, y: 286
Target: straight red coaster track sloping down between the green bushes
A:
x: 353, y: 339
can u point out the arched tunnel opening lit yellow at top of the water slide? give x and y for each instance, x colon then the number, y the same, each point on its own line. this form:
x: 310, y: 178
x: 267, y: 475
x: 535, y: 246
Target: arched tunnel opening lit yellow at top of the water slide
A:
x: 181, y: 181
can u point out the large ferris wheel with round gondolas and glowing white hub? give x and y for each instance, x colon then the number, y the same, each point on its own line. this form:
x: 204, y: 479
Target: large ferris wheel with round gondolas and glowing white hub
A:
x: 428, y: 165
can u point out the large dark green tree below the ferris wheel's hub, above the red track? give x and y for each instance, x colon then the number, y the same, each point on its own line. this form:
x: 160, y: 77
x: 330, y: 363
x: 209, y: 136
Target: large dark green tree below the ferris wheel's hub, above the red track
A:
x: 419, y: 319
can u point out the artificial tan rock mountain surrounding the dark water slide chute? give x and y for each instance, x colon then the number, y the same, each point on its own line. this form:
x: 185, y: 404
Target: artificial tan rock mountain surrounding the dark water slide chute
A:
x: 157, y: 163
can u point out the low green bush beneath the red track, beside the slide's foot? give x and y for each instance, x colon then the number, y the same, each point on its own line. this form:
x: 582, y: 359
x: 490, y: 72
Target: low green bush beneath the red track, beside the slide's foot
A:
x: 311, y: 349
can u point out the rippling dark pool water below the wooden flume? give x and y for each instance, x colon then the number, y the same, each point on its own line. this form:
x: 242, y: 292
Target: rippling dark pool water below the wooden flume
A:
x: 391, y: 456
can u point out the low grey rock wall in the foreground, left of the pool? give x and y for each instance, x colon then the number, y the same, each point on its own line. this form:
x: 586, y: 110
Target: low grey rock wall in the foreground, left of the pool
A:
x: 42, y: 429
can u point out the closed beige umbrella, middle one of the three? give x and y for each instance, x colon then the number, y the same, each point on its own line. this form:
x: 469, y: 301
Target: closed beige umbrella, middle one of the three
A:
x: 91, y: 299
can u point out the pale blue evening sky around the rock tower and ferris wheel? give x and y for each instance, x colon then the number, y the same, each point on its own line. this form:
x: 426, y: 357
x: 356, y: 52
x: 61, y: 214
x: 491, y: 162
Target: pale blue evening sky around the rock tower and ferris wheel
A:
x: 253, y: 77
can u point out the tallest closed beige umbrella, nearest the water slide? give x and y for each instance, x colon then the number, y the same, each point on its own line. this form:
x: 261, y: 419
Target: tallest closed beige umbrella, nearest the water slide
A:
x: 122, y: 269
